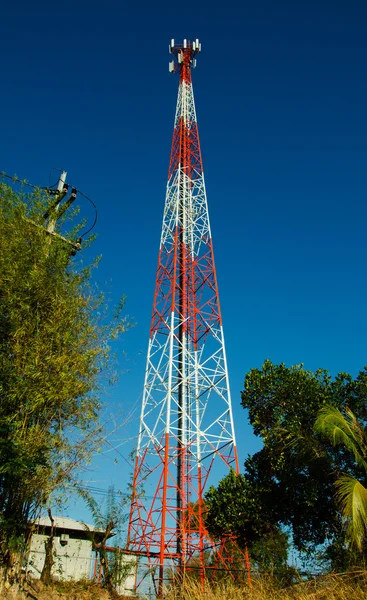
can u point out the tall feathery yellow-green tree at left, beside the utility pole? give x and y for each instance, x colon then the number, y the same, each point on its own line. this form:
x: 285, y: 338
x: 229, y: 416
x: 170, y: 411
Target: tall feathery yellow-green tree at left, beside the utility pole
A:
x: 54, y: 336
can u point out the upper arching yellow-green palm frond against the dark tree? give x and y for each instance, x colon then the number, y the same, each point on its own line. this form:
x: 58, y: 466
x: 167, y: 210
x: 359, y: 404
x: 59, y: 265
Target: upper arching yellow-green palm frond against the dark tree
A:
x: 343, y: 429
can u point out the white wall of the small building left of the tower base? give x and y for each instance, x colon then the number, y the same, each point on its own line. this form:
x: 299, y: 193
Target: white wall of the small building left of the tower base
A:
x: 72, y: 559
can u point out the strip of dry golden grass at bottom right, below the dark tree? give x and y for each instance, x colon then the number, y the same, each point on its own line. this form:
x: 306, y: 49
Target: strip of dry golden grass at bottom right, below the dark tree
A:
x: 330, y: 587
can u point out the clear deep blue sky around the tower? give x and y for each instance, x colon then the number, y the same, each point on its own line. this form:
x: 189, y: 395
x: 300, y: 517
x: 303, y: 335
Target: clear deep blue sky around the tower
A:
x: 281, y: 96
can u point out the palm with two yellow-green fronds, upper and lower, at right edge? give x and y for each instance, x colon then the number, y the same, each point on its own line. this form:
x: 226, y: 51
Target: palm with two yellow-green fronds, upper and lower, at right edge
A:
x: 345, y: 430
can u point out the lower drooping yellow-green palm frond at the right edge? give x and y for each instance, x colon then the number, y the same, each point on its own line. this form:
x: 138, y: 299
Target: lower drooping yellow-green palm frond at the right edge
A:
x: 353, y: 500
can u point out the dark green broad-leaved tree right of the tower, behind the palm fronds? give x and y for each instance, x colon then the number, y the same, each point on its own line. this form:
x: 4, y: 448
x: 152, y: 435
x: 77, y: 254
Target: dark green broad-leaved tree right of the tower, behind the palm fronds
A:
x: 290, y: 482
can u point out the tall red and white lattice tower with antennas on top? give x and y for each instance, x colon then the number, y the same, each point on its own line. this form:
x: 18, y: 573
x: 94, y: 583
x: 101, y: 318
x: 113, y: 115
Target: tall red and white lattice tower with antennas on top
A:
x: 186, y: 418
